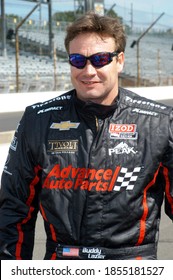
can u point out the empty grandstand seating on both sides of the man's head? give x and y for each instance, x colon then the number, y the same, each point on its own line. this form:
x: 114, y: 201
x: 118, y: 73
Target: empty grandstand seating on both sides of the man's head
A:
x: 38, y: 71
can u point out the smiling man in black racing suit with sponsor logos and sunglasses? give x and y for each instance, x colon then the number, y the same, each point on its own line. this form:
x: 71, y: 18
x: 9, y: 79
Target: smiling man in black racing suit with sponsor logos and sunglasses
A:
x: 96, y: 161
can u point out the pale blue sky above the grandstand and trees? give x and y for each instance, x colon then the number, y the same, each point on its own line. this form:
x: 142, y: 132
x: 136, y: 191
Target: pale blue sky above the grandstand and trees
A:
x: 143, y: 10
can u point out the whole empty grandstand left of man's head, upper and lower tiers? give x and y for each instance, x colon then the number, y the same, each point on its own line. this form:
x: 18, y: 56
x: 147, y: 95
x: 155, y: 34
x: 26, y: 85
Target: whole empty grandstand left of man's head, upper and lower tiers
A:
x: 38, y: 71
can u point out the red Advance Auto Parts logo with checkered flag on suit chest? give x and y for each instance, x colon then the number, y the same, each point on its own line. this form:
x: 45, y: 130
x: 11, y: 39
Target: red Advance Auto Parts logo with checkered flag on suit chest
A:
x: 91, y: 179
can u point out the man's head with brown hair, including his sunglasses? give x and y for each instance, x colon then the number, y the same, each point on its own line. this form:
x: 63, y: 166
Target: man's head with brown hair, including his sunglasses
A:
x: 96, y: 46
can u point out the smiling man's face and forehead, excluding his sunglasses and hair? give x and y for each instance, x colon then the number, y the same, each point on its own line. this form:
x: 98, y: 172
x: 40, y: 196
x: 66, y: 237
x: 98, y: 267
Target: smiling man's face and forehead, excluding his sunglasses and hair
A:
x: 99, y: 85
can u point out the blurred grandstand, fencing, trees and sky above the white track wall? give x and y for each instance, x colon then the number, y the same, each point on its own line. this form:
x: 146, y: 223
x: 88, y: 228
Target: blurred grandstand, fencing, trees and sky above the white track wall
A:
x: 32, y: 53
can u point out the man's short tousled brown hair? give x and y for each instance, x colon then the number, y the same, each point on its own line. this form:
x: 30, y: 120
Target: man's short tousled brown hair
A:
x: 102, y: 25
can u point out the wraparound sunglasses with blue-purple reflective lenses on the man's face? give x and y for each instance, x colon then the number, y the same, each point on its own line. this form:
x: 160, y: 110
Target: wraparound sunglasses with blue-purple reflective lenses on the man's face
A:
x: 98, y: 60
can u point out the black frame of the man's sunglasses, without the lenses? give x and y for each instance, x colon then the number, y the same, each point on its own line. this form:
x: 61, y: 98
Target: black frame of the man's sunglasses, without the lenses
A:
x: 110, y: 56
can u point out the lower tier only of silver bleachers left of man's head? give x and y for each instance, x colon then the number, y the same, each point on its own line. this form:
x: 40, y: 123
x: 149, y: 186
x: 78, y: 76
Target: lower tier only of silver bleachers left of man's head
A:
x: 36, y: 73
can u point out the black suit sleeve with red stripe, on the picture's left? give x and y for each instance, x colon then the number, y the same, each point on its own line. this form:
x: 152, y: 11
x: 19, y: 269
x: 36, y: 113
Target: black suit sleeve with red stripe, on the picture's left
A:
x: 19, y: 198
